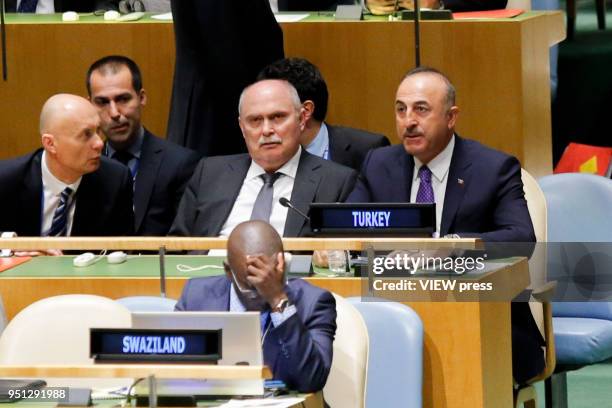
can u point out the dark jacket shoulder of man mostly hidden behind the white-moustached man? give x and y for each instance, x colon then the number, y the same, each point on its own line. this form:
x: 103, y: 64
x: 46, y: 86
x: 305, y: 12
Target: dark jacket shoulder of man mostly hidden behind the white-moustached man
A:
x: 349, y: 146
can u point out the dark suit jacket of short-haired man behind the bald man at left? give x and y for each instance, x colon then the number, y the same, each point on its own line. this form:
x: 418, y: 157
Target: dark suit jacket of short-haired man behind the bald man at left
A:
x: 163, y: 171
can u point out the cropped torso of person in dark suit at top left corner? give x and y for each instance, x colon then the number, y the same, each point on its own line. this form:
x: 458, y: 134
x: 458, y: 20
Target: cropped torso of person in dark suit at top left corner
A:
x: 59, y: 6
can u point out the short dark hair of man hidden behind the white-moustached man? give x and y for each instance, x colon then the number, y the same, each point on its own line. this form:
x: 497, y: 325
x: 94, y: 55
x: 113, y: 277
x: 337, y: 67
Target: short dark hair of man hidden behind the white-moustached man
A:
x: 305, y: 77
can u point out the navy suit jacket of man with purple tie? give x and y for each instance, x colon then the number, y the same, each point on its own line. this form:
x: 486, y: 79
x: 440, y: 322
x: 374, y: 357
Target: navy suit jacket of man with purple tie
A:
x: 484, y: 192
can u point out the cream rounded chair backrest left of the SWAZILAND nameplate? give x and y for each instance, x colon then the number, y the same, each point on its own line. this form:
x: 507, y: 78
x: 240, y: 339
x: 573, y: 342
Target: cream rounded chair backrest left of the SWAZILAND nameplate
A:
x: 55, y: 330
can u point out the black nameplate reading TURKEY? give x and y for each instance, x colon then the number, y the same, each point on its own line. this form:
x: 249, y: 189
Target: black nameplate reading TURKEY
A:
x: 372, y: 219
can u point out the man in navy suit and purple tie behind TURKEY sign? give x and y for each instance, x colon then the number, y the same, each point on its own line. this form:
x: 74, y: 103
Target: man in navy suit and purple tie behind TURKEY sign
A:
x: 477, y: 190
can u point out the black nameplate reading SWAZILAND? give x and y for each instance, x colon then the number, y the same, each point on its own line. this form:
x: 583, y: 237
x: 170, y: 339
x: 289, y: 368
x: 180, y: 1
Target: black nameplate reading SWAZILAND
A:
x: 147, y: 345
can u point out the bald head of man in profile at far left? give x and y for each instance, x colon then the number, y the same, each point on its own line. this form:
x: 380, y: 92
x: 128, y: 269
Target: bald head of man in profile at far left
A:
x: 70, y: 135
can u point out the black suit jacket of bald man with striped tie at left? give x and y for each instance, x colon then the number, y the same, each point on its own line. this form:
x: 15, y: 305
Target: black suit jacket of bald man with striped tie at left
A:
x: 103, y: 200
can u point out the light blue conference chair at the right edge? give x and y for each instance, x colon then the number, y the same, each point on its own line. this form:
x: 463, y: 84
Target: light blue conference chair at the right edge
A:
x: 580, y: 233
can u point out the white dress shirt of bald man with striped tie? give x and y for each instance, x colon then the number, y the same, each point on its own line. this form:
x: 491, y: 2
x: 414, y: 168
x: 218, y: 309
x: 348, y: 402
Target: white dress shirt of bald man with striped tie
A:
x: 52, y: 190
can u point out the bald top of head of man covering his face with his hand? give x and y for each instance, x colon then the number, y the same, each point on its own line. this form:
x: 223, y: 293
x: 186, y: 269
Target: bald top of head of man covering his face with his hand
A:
x: 253, y: 237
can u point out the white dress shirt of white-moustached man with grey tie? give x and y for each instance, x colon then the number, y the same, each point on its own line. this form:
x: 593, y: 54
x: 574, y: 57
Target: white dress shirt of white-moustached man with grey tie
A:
x: 283, y: 187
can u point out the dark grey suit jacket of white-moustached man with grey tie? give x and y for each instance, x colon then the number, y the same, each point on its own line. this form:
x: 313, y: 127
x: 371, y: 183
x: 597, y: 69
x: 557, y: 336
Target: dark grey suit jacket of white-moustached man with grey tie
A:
x: 214, y: 187
